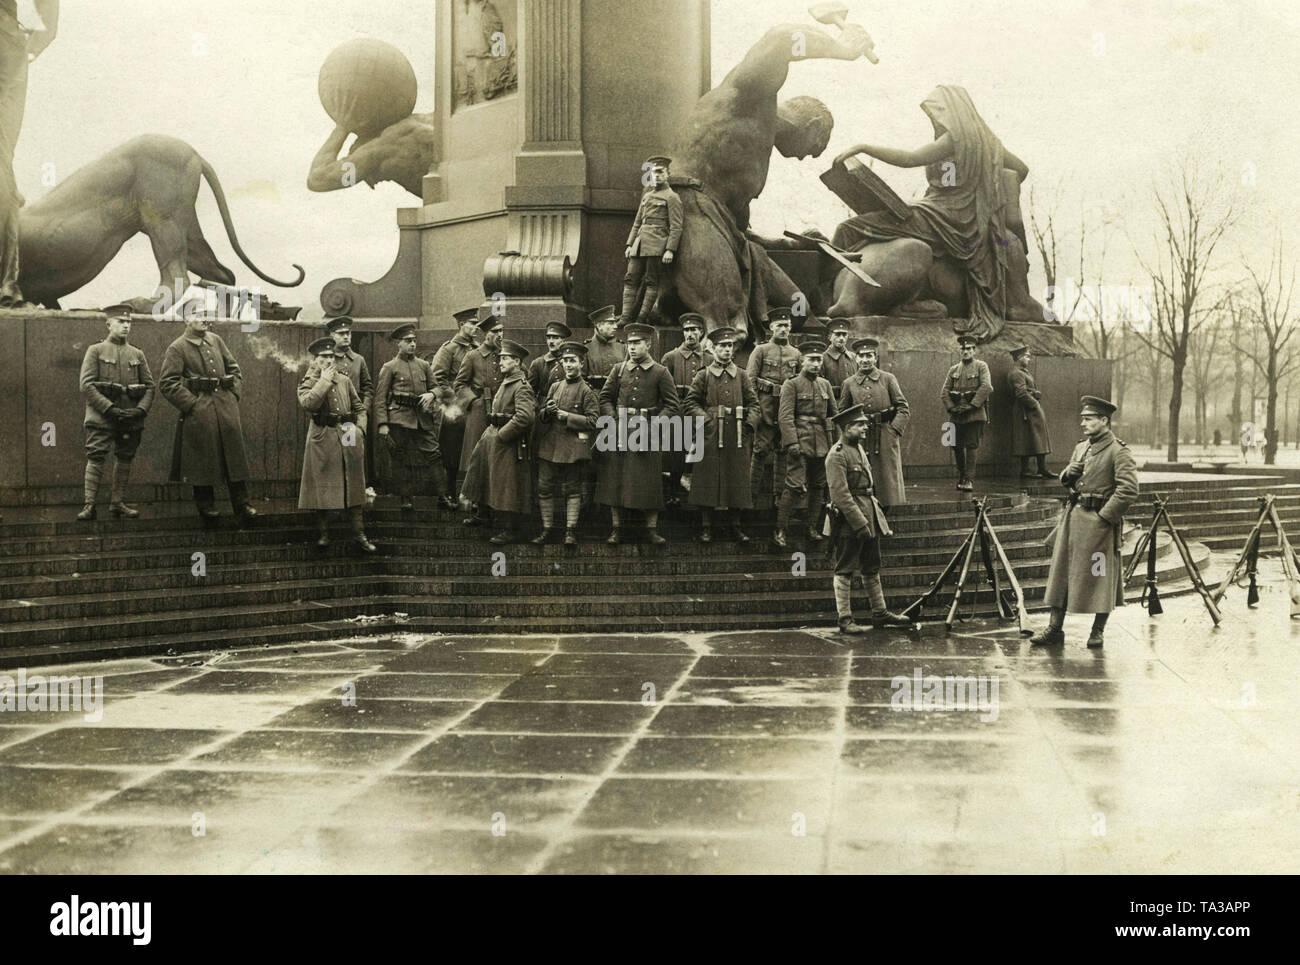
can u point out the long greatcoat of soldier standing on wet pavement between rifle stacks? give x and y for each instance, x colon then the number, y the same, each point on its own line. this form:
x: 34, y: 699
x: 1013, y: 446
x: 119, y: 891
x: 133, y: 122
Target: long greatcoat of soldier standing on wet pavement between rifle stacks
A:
x: 1078, y: 582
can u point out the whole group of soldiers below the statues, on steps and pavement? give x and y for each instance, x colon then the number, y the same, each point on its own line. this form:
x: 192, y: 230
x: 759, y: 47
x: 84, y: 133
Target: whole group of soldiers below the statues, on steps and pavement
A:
x: 827, y: 447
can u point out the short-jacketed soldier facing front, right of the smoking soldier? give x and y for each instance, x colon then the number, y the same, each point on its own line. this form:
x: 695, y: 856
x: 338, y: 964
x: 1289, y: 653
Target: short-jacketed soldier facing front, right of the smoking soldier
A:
x: 408, y: 416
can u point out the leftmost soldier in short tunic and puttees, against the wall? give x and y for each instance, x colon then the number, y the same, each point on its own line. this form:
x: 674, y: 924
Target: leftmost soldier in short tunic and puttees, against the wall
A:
x: 119, y: 390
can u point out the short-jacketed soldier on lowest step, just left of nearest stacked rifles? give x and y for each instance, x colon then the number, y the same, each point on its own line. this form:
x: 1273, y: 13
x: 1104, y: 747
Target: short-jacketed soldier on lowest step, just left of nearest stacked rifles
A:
x: 857, y: 525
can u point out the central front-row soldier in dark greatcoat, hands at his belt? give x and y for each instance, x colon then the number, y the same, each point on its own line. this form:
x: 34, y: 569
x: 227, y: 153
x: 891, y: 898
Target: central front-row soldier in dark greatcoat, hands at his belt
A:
x: 639, y: 388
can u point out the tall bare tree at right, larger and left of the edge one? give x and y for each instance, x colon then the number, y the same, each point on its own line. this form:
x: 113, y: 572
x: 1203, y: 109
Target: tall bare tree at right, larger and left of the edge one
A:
x: 1194, y: 213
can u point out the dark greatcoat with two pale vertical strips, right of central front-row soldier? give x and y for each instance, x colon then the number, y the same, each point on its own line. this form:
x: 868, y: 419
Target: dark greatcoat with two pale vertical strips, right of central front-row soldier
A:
x: 721, y: 479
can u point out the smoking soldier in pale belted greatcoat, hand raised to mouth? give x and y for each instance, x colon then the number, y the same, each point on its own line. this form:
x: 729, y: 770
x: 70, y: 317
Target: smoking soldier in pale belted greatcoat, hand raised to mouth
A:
x: 335, y: 457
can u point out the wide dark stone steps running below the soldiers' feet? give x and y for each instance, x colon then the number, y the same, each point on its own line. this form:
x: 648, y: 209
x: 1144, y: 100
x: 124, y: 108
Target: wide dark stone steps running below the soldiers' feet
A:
x: 80, y: 591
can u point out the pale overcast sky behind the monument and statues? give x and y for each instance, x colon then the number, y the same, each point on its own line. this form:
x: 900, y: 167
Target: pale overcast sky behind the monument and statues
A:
x: 1094, y: 96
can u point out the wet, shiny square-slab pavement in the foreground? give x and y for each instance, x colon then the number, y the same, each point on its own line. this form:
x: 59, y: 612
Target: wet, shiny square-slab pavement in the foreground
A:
x: 1175, y: 750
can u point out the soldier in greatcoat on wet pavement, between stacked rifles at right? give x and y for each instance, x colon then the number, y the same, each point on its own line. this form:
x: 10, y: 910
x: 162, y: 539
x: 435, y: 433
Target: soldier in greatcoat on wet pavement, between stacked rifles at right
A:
x: 1087, y: 570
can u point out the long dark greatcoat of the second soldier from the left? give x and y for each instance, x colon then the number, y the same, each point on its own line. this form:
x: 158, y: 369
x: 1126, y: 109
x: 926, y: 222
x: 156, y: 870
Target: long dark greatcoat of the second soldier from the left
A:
x: 209, y: 438
